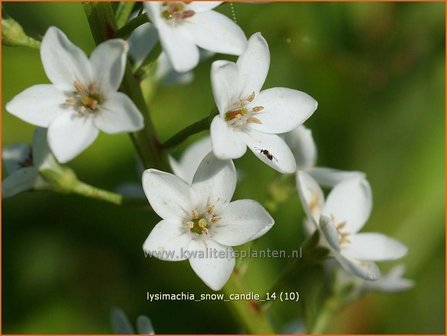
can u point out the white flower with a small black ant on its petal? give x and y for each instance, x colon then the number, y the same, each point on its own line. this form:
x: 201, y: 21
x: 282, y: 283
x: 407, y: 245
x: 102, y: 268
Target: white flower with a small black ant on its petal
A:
x: 251, y: 117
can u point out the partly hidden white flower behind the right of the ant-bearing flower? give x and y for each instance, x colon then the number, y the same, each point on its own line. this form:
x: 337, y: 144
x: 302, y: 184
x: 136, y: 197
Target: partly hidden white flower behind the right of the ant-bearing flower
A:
x: 303, y: 147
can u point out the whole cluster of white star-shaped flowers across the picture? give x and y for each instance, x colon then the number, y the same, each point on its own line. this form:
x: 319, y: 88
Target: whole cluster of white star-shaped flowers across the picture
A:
x: 195, y: 204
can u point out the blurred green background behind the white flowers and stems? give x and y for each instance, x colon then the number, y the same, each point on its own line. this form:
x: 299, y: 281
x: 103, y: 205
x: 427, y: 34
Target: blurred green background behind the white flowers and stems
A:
x: 377, y: 71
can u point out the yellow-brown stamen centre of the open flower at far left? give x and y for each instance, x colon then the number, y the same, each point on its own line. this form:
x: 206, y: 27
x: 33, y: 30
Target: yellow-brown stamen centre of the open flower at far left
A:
x: 86, y: 100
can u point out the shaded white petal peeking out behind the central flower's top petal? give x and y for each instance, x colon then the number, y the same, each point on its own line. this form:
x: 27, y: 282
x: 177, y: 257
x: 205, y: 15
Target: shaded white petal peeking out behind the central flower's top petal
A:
x: 191, y: 158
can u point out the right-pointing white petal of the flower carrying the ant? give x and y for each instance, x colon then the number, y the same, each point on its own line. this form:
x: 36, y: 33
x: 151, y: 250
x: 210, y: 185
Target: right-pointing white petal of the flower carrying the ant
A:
x: 284, y: 110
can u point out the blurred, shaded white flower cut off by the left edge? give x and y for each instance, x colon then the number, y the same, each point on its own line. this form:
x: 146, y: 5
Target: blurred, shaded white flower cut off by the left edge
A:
x: 23, y: 162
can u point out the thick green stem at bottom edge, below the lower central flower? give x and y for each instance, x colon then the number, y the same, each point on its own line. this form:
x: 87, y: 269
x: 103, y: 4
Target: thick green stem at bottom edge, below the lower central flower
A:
x: 249, y: 313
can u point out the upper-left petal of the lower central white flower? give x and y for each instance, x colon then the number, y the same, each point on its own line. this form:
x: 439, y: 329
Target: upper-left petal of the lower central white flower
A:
x: 168, y: 194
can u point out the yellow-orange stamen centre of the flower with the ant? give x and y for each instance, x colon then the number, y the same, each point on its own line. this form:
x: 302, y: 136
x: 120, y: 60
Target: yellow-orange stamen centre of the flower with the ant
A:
x: 242, y: 114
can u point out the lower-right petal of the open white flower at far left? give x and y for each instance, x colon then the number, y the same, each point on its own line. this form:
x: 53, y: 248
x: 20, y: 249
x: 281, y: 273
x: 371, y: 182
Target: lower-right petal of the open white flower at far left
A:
x: 119, y: 114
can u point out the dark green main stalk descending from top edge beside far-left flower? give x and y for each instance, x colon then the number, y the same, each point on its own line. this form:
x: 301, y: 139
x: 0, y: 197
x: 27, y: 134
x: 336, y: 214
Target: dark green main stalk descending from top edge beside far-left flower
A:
x: 103, y: 26
